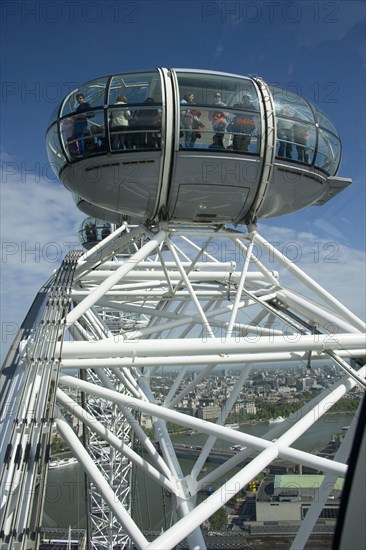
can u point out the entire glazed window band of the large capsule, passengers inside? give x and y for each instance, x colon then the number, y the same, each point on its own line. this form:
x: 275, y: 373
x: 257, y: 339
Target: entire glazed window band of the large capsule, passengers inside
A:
x: 209, y: 120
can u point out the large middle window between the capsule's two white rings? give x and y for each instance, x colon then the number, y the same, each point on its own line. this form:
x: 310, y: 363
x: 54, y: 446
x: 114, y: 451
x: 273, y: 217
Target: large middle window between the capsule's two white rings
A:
x: 218, y: 112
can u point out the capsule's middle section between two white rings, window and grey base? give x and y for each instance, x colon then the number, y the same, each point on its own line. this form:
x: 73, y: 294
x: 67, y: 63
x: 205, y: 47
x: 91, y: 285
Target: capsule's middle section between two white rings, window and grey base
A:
x: 216, y: 161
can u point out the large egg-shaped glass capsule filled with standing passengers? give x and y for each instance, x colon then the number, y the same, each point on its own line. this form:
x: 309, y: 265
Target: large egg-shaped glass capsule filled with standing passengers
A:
x: 193, y: 146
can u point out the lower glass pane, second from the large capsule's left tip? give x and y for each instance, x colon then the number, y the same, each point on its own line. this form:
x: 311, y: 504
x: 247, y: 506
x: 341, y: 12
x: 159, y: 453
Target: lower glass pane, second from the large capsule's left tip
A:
x: 83, y: 134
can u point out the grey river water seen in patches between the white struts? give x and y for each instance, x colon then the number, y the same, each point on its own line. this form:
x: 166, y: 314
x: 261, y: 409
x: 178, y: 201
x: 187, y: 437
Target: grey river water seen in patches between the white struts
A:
x: 65, y: 495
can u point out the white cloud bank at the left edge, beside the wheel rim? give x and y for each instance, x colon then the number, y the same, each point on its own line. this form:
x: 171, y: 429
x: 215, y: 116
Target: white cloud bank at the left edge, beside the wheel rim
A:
x: 39, y: 224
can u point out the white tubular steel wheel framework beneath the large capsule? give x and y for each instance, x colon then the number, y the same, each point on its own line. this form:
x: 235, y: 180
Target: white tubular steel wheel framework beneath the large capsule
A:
x: 168, y: 296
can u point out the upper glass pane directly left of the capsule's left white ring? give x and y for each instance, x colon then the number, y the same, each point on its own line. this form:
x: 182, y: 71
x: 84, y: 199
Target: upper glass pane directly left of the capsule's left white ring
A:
x: 136, y: 88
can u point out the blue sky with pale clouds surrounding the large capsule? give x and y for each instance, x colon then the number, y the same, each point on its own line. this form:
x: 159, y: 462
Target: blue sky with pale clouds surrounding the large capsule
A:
x: 316, y: 48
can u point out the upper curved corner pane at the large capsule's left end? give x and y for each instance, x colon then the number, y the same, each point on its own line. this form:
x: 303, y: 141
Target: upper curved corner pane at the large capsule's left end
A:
x: 88, y: 96
